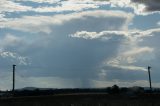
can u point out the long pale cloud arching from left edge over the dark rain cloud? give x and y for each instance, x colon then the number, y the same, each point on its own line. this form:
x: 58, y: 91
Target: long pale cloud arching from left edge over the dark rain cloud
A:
x: 43, y: 23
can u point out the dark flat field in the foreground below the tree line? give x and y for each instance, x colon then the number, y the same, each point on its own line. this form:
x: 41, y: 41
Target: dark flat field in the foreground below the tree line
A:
x: 83, y: 99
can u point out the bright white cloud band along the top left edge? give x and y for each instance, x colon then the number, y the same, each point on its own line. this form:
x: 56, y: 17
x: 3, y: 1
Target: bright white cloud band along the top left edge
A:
x: 11, y: 6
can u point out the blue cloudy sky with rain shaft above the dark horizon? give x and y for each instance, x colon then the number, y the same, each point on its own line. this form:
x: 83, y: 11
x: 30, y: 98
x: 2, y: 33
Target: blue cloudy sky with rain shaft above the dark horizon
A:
x: 79, y: 43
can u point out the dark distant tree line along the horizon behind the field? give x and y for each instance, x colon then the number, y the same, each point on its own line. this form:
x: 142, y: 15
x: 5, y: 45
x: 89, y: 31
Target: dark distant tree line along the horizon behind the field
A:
x: 108, y: 90
